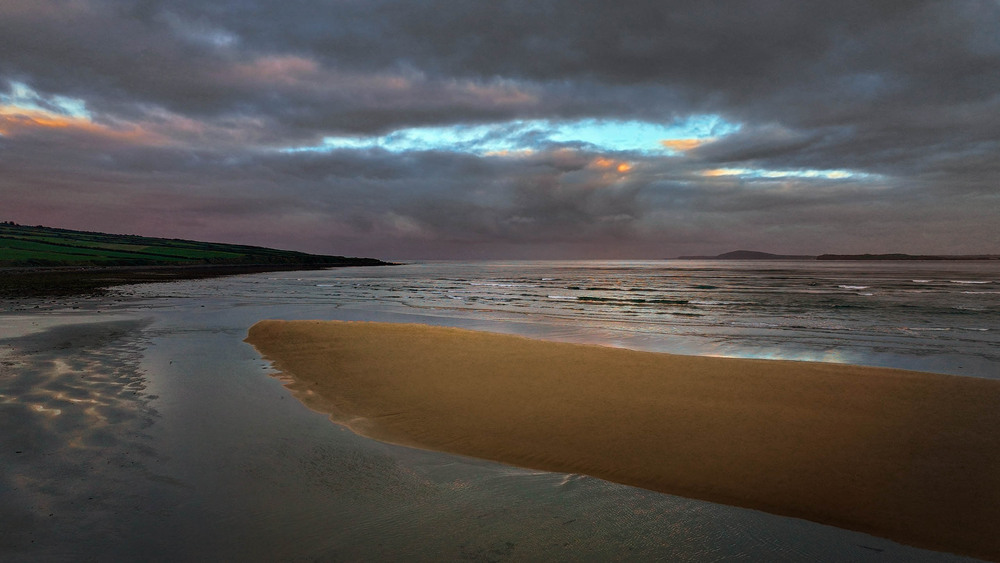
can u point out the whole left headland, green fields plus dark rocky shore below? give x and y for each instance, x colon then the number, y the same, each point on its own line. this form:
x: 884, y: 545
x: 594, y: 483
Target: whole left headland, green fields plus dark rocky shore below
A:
x: 45, y: 261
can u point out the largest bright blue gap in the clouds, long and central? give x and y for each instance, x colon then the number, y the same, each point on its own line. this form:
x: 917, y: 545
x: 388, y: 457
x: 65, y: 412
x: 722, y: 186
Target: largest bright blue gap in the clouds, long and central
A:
x: 597, y: 134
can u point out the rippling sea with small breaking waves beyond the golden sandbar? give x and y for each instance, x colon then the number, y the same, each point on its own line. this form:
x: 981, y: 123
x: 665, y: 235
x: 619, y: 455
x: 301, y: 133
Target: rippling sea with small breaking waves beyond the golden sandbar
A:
x: 941, y: 317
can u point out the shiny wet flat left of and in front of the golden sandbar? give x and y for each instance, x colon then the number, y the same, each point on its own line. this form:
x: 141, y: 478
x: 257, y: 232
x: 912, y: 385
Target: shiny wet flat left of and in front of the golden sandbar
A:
x: 173, y: 442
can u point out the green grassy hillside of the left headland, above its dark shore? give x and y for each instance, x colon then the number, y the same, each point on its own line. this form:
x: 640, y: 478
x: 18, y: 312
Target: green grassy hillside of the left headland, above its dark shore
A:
x: 44, y: 246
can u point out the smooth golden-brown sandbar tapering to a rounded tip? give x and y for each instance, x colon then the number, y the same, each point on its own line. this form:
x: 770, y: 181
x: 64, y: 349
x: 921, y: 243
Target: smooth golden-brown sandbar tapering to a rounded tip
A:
x: 910, y: 456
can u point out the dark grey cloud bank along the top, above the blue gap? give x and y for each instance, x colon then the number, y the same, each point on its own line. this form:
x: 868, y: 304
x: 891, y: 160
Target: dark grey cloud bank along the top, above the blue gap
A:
x: 817, y: 63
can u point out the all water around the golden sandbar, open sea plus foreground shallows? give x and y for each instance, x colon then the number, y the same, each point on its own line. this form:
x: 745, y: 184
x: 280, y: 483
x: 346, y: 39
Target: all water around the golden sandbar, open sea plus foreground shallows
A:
x: 139, y: 426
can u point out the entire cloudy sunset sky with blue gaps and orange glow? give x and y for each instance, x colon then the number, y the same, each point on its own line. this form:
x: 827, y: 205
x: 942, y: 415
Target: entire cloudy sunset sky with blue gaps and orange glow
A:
x: 639, y: 129
